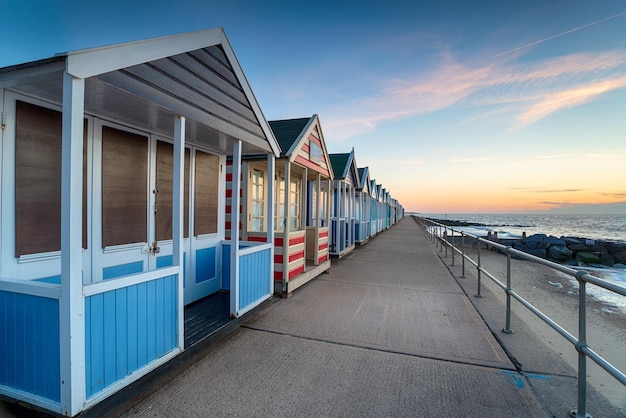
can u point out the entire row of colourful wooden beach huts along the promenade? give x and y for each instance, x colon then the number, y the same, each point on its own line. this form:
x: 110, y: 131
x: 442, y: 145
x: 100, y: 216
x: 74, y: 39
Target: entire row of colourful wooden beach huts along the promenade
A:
x: 125, y: 171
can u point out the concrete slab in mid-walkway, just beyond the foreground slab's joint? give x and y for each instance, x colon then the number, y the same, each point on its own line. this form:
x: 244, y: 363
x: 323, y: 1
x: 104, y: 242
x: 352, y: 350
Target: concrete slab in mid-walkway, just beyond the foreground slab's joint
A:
x: 433, y: 324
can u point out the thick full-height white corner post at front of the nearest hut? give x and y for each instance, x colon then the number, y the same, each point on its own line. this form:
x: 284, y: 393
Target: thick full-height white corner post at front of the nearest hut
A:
x: 72, y: 303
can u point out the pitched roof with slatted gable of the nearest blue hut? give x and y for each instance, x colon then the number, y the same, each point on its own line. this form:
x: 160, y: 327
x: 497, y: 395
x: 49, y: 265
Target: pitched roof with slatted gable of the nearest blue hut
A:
x: 148, y: 83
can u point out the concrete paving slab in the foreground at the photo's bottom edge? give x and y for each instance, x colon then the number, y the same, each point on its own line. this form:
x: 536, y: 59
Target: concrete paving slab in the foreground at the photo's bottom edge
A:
x: 261, y: 374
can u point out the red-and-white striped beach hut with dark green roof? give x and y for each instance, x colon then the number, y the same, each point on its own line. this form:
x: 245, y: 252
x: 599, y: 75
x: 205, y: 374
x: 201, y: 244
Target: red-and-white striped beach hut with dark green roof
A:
x: 302, y: 217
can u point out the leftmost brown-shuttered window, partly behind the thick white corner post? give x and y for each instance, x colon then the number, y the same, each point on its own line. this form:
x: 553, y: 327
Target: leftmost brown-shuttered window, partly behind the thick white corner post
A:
x: 38, y: 146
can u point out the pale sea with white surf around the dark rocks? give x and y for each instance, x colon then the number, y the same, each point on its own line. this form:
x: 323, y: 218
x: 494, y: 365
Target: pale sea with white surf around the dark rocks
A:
x: 605, y: 227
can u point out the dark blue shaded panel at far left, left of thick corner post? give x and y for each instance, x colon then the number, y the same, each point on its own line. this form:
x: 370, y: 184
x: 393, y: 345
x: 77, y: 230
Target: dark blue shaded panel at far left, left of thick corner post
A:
x: 29, y: 327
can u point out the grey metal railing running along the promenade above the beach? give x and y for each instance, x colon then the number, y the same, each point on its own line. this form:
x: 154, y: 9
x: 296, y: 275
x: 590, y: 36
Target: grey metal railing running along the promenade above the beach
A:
x: 443, y: 236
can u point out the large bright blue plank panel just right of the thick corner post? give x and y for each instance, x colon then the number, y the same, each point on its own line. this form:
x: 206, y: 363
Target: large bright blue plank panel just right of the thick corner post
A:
x: 127, y: 328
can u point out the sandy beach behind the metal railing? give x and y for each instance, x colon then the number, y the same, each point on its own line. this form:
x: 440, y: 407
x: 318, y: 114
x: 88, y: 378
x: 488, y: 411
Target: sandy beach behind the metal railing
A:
x: 555, y: 295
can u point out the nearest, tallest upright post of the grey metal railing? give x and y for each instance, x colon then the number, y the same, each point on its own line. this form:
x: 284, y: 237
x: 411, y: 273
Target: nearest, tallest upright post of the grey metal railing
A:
x: 581, y: 411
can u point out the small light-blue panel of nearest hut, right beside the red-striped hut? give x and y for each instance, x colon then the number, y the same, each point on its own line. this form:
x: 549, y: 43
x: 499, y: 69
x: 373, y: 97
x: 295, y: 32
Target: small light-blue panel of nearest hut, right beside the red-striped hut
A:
x: 254, y: 277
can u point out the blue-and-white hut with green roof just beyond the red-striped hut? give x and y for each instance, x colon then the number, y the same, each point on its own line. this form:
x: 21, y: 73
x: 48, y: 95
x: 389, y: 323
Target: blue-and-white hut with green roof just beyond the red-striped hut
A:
x: 342, y: 221
